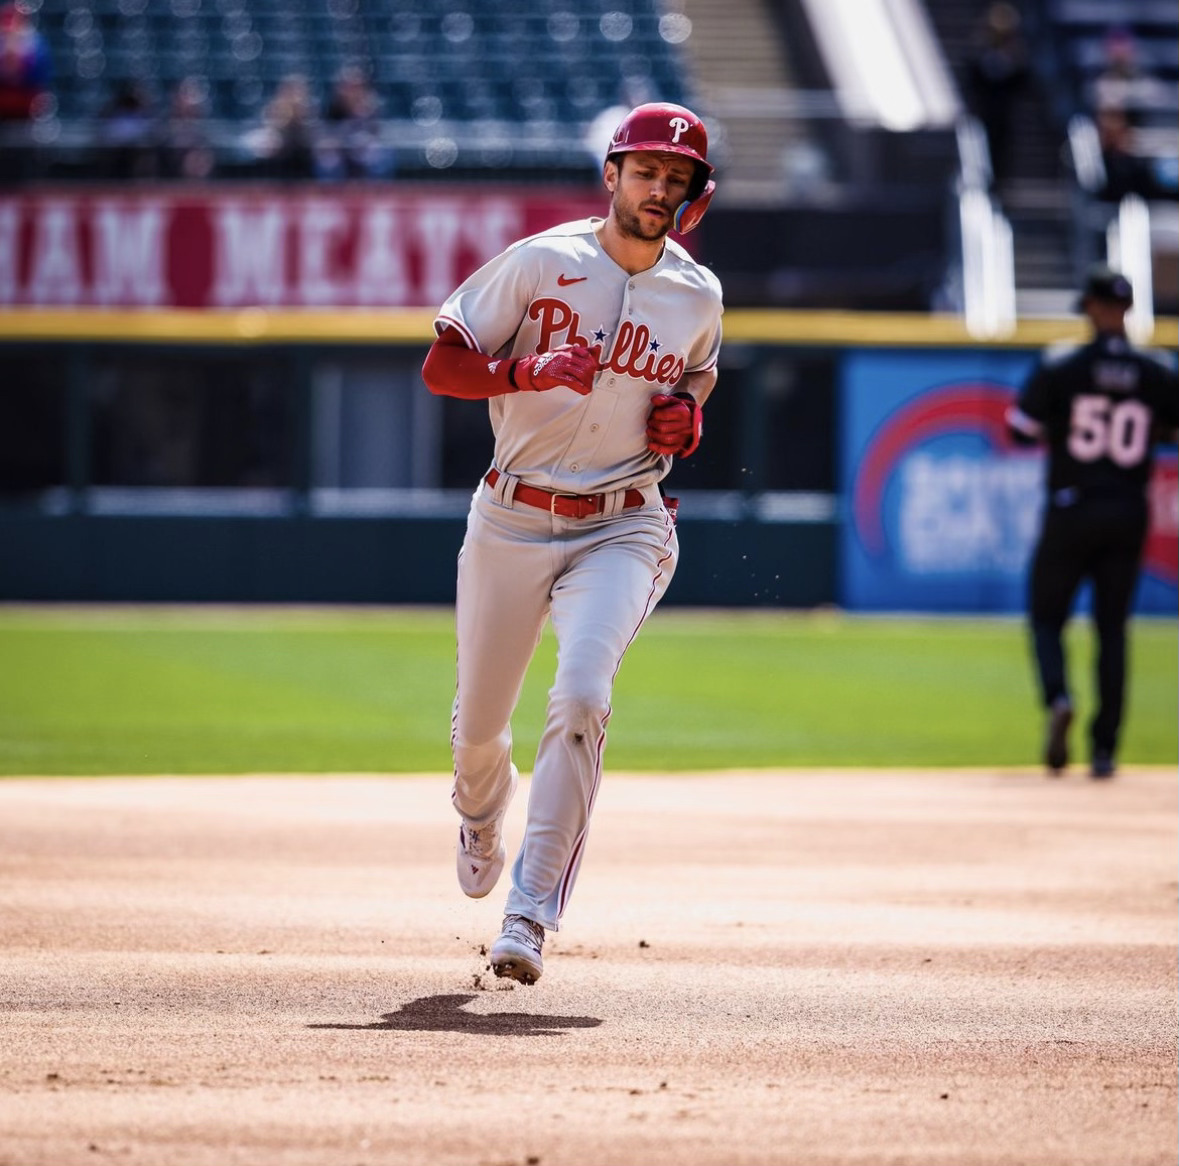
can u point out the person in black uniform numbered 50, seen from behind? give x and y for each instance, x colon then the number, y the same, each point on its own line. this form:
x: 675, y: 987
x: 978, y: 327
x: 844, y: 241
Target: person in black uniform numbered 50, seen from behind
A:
x: 1101, y: 410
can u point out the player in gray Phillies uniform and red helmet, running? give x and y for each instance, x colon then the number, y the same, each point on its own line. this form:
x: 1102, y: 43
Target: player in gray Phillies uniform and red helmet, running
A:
x: 596, y: 346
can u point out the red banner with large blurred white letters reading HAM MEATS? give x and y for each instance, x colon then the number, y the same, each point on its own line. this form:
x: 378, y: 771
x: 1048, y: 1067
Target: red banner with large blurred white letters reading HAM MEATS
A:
x: 262, y: 247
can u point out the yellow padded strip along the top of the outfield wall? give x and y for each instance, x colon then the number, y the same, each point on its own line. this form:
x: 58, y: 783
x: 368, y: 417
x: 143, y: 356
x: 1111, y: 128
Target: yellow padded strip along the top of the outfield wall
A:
x: 414, y: 326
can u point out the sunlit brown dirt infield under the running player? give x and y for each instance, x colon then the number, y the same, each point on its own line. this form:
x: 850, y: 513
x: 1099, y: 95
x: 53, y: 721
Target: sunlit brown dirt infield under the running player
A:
x: 788, y: 969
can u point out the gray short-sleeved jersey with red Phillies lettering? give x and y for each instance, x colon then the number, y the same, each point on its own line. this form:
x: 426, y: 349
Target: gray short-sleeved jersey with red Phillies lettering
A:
x: 561, y: 288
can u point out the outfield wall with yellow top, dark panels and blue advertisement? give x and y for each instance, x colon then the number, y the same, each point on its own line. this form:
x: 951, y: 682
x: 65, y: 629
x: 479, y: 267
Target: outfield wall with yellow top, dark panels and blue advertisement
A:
x: 857, y: 460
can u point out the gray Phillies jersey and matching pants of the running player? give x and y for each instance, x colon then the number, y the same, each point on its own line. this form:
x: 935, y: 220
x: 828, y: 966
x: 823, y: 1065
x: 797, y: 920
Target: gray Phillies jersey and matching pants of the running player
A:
x: 596, y: 578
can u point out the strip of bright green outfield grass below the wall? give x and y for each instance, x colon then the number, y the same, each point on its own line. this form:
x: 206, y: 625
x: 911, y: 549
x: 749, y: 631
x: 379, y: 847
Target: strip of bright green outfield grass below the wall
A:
x: 91, y: 691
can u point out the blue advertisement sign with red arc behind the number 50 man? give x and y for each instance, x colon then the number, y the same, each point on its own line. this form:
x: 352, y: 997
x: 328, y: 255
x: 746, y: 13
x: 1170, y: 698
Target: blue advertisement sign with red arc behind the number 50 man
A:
x: 941, y: 509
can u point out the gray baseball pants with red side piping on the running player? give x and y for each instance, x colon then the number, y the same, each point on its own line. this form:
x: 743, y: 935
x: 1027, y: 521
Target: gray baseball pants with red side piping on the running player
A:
x: 597, y: 579
